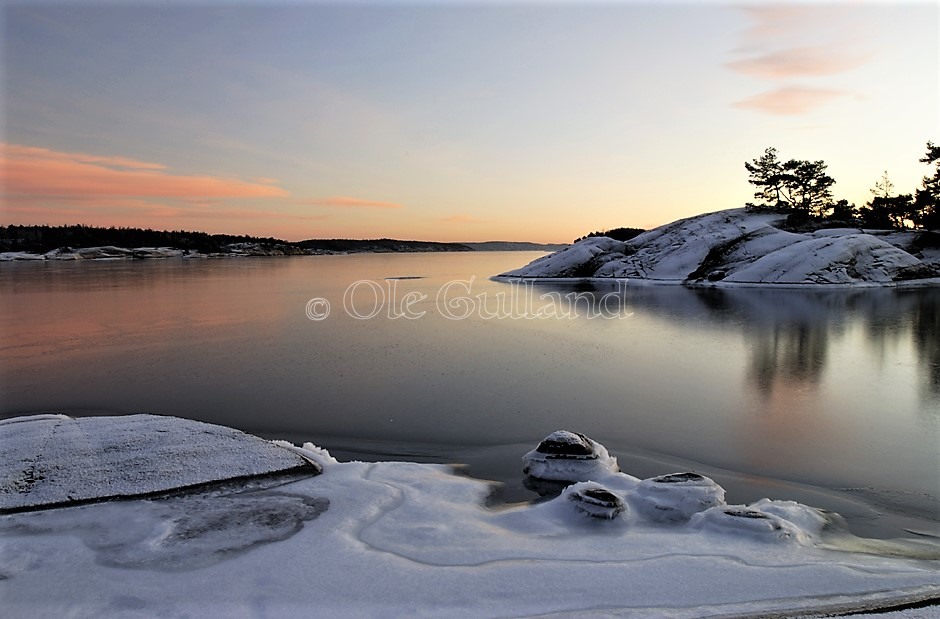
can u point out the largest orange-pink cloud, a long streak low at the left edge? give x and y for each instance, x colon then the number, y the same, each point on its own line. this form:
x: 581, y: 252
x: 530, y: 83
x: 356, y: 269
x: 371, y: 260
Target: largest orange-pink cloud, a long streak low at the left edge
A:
x: 31, y: 171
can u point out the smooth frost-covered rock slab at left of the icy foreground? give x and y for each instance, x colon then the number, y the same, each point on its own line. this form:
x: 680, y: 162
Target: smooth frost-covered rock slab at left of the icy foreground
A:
x: 125, y: 456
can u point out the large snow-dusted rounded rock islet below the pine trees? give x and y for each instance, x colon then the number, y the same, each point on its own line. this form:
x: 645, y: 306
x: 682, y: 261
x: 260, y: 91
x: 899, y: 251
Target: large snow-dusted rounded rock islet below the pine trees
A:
x: 740, y: 247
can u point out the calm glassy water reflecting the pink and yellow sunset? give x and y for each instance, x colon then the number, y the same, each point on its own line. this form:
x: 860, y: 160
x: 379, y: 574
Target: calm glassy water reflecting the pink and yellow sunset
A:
x: 832, y: 398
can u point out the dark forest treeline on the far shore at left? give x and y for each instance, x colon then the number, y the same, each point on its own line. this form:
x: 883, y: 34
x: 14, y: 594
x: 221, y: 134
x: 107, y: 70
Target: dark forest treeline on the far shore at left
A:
x: 41, y: 239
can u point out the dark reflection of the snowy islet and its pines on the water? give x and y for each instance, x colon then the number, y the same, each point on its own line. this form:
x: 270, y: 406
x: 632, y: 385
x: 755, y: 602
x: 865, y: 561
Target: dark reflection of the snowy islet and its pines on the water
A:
x: 789, y: 332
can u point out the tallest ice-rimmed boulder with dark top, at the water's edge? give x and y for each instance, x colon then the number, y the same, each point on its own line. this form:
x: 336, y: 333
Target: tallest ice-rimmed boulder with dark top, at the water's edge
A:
x: 568, y: 456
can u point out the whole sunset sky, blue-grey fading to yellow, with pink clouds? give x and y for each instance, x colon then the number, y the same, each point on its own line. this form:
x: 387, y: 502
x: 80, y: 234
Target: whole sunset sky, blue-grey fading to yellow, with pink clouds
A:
x: 448, y: 121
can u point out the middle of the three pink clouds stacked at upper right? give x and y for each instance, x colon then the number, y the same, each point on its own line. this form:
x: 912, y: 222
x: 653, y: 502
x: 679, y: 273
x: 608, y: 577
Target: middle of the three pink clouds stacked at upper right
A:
x: 798, y: 62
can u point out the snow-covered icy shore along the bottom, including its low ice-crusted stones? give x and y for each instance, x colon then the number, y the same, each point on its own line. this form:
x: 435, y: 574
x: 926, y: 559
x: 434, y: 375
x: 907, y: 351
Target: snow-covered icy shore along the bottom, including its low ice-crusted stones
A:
x: 396, y: 539
